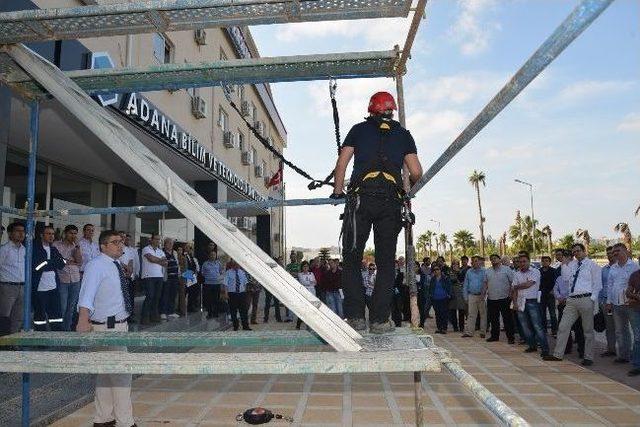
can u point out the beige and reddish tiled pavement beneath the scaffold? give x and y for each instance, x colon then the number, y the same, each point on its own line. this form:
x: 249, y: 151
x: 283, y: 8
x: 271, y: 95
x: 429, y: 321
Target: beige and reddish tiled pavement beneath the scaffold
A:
x: 544, y: 394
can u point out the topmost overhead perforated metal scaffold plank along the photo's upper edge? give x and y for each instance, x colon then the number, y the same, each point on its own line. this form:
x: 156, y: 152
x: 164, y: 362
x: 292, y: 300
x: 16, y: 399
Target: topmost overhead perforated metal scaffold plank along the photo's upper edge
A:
x: 176, y: 15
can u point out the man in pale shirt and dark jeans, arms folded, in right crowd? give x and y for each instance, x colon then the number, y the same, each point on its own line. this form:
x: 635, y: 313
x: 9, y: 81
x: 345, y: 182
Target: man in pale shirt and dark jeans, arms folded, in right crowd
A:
x: 526, y: 281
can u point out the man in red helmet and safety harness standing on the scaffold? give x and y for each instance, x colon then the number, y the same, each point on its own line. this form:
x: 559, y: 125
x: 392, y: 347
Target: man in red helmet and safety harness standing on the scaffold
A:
x: 380, y: 147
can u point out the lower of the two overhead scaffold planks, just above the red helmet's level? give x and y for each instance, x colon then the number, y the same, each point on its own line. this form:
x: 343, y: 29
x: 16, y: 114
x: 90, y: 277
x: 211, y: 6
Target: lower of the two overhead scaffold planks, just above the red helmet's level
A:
x: 235, y: 71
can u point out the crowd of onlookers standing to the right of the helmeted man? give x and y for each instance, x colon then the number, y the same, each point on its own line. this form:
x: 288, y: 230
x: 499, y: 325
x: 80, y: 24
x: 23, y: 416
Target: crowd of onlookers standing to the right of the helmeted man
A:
x: 570, y: 300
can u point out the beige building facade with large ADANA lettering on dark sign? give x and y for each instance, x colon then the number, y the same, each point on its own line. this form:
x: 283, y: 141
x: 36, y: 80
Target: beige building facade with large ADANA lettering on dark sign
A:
x: 195, y: 131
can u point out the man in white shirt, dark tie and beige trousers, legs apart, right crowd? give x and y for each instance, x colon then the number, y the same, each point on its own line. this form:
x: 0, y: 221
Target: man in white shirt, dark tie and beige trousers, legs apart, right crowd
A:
x: 582, y: 302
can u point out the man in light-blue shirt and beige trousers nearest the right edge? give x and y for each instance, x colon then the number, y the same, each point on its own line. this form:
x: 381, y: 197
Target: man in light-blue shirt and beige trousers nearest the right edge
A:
x: 617, y: 283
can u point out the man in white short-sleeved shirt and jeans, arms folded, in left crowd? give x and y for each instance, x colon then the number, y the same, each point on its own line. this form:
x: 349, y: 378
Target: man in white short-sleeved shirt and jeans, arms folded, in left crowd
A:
x: 153, y: 262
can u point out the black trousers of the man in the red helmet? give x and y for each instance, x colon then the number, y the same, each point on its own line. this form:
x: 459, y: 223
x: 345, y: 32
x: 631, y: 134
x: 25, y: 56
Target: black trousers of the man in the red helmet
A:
x: 383, y: 214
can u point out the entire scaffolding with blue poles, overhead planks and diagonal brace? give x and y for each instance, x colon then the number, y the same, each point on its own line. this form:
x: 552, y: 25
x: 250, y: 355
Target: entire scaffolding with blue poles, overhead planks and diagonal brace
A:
x: 40, y: 77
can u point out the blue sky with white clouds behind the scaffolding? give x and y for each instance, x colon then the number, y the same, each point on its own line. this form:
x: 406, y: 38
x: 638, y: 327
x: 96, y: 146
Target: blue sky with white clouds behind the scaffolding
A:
x: 574, y: 133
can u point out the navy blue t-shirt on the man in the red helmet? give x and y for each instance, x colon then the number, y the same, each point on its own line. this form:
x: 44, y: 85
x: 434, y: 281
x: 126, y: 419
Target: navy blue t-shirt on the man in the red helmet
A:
x: 365, y: 140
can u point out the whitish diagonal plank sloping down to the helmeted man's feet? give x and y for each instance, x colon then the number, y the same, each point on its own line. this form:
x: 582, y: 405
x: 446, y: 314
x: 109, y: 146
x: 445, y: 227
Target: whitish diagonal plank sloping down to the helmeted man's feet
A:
x: 135, y: 154
